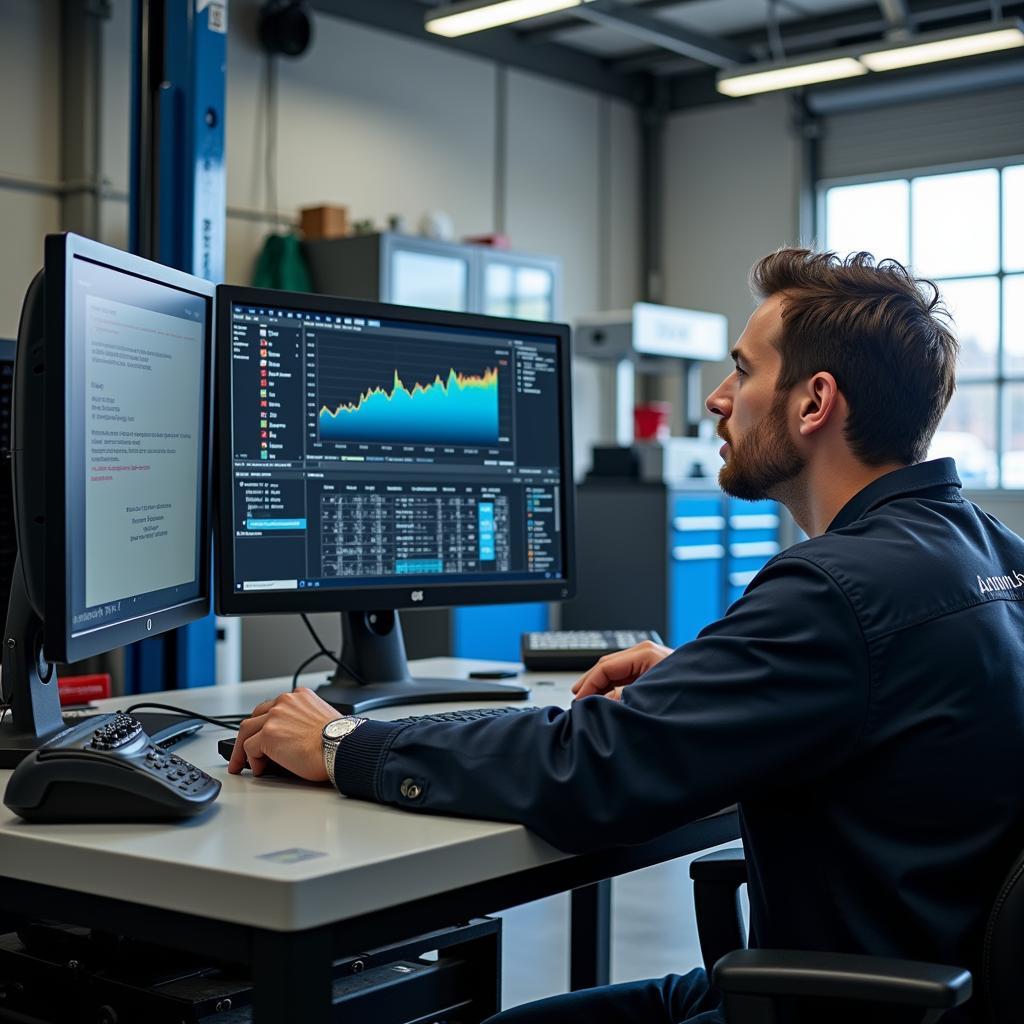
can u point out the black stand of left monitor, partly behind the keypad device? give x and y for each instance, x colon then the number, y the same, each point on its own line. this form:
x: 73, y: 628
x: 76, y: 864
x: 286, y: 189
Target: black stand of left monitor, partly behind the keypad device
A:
x: 29, y: 684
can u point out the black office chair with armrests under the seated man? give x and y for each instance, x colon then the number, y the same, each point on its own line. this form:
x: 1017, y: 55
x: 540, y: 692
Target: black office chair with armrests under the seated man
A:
x: 758, y: 985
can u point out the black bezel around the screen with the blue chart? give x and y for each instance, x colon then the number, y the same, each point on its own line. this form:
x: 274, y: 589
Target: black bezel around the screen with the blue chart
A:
x: 431, y: 595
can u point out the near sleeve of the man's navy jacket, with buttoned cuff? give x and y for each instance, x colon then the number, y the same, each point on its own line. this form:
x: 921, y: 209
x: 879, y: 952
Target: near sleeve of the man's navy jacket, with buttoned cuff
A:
x: 773, y: 696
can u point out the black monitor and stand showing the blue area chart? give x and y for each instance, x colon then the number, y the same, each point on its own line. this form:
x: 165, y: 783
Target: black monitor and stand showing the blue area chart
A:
x: 377, y: 457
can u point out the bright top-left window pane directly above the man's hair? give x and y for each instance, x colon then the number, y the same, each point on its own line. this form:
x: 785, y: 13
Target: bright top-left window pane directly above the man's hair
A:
x: 874, y: 218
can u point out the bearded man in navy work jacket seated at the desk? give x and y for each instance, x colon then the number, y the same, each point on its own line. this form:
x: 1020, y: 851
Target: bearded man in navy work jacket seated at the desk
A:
x: 864, y: 702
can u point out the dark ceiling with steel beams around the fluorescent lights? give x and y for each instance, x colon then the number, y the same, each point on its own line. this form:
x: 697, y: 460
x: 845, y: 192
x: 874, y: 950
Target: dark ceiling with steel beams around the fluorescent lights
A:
x: 639, y: 50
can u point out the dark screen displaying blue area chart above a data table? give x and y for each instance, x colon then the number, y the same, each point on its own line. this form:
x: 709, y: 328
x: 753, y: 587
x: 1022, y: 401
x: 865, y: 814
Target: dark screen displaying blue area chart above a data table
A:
x: 366, y: 450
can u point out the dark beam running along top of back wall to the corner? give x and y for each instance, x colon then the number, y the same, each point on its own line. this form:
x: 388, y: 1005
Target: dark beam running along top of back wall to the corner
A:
x: 502, y: 46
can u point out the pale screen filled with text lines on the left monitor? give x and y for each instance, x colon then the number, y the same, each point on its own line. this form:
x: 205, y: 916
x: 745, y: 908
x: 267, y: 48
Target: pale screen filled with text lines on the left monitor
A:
x: 135, y: 444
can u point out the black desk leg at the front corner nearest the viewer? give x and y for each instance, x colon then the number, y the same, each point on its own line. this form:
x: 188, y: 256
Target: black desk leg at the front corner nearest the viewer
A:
x: 293, y: 976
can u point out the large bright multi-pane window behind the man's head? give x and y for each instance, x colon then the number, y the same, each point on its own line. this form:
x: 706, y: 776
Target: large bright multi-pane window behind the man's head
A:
x: 965, y: 231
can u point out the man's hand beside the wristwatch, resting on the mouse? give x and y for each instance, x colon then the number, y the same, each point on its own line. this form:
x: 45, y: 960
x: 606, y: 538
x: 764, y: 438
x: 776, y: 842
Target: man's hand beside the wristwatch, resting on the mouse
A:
x: 286, y: 731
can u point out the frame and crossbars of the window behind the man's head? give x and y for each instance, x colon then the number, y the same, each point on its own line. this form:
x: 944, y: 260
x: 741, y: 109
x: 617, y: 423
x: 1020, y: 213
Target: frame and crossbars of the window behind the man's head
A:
x: 1001, y: 379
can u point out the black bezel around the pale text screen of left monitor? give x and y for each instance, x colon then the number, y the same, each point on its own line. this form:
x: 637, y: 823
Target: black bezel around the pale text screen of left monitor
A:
x: 60, y: 644
